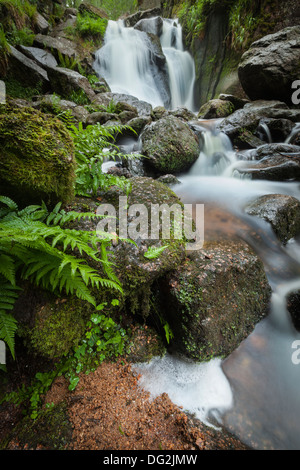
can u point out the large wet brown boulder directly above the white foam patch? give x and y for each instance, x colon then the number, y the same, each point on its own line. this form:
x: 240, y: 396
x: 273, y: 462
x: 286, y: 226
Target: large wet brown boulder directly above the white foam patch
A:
x: 213, y: 301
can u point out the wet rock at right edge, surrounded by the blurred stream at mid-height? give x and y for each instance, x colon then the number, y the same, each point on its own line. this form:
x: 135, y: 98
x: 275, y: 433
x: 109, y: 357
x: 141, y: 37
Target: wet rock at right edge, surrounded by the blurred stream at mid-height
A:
x: 282, y: 212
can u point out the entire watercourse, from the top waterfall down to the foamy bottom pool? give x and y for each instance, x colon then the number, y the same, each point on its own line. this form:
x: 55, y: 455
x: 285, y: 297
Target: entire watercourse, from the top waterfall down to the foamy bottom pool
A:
x: 254, y: 393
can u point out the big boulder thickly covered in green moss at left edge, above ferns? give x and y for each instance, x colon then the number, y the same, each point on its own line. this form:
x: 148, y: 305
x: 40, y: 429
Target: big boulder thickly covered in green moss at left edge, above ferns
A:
x: 37, y: 160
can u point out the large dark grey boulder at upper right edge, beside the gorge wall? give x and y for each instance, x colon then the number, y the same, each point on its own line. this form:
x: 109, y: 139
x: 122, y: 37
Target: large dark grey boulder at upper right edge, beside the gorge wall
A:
x: 268, y: 69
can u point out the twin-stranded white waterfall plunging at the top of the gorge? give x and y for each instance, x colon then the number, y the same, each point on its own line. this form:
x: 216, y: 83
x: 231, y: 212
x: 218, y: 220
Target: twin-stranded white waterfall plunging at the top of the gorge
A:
x: 131, y: 64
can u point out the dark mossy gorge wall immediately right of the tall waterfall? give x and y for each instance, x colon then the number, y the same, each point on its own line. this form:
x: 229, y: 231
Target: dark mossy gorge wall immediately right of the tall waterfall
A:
x: 218, y: 47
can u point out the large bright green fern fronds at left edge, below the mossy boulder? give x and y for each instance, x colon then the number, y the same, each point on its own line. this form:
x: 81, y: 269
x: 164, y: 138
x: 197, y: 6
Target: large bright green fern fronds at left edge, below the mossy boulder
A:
x: 34, y: 246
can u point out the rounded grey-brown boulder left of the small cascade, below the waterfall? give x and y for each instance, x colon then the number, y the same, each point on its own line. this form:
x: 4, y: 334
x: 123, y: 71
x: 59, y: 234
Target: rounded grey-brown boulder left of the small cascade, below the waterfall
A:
x: 169, y: 145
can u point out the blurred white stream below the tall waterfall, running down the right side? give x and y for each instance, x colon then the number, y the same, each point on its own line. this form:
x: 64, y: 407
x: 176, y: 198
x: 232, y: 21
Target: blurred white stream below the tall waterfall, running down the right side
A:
x: 254, y: 393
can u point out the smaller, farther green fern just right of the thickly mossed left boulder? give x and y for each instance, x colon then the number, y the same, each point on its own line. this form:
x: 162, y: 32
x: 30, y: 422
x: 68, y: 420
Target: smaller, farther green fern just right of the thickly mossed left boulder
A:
x: 91, y: 146
